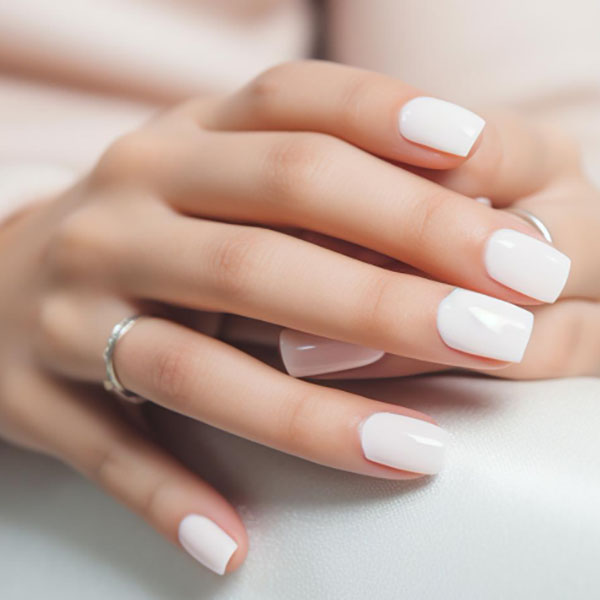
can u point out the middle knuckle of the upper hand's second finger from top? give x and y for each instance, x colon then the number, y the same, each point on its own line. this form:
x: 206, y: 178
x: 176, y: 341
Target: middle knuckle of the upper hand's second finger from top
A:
x: 295, y: 166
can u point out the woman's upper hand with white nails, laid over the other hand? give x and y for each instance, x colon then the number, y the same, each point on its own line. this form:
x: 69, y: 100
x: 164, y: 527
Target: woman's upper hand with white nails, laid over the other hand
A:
x: 203, y: 209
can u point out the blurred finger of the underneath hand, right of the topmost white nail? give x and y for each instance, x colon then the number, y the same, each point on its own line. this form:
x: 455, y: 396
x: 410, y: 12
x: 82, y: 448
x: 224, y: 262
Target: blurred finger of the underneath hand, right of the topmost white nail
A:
x: 517, y: 157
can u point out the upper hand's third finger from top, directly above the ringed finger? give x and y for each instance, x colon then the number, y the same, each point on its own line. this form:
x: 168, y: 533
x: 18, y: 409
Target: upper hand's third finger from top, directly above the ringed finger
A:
x: 269, y: 276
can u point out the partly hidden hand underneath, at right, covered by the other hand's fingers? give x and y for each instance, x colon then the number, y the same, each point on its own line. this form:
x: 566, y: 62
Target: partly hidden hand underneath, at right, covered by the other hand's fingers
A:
x: 539, y: 170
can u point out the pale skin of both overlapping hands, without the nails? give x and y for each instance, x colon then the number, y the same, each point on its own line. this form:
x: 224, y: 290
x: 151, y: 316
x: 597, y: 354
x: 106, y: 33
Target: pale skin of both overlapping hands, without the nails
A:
x: 304, y: 210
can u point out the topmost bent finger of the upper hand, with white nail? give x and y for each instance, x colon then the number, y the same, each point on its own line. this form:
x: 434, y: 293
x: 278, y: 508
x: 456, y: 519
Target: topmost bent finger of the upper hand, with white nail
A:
x: 378, y: 113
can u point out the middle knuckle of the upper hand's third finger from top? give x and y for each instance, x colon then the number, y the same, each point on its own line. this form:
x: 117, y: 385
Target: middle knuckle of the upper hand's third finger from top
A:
x: 237, y: 260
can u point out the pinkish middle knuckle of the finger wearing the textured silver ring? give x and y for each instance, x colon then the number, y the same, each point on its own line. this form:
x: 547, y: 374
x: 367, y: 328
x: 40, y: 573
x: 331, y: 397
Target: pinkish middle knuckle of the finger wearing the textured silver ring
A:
x: 171, y: 371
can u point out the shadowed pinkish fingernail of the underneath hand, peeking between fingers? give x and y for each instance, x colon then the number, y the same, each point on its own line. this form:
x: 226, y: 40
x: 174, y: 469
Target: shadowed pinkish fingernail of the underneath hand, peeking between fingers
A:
x: 306, y: 355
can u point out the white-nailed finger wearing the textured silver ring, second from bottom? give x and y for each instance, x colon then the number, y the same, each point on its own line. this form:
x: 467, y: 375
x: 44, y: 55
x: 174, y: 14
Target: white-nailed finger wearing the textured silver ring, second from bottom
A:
x: 219, y: 385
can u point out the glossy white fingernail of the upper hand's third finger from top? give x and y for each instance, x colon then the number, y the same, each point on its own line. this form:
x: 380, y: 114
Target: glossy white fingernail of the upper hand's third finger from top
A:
x: 485, y: 326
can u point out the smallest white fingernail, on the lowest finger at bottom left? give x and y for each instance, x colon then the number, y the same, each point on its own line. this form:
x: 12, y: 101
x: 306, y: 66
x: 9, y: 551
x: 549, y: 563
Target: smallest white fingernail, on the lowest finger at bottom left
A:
x: 204, y: 540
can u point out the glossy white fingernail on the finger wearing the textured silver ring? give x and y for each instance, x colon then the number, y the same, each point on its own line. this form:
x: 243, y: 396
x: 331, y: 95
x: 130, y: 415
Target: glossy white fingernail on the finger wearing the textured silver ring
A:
x: 403, y: 443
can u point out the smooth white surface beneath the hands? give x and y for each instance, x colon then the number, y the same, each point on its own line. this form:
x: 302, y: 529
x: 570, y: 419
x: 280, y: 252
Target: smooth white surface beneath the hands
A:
x: 515, y: 514
